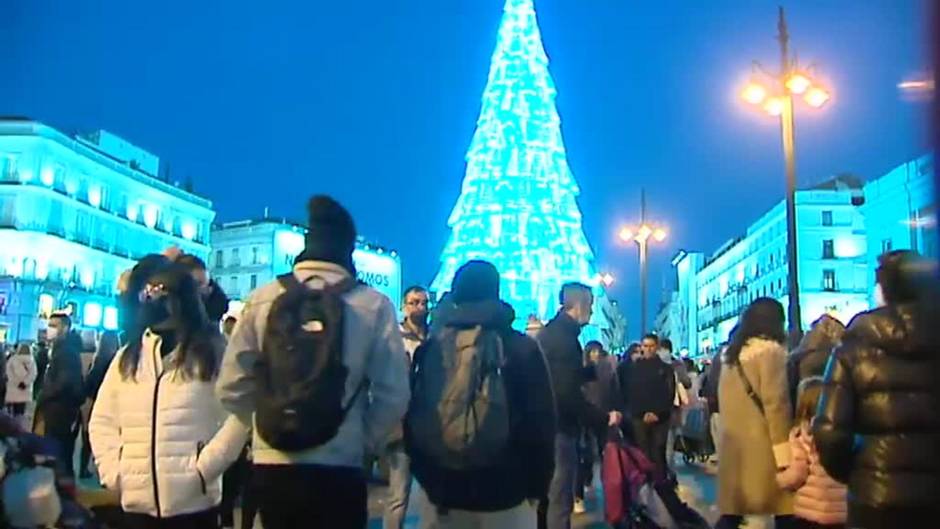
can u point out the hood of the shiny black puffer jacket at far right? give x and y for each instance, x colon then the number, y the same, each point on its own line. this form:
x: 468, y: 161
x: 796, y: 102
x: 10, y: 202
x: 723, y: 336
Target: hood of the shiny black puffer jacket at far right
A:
x: 895, y: 329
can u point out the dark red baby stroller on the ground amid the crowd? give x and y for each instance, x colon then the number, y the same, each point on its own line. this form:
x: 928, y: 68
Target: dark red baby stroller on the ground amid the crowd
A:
x: 635, y: 498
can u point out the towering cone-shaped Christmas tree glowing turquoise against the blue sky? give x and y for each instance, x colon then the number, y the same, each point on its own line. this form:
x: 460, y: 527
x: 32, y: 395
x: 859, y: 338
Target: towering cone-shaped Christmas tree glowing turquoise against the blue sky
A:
x: 517, y: 207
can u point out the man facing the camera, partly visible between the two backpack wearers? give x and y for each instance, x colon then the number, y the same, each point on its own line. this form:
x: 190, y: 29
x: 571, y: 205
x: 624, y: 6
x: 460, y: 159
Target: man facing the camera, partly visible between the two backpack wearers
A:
x: 414, y: 332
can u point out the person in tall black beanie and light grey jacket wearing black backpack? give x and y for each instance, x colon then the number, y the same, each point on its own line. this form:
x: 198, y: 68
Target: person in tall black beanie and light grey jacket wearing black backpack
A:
x: 317, y: 364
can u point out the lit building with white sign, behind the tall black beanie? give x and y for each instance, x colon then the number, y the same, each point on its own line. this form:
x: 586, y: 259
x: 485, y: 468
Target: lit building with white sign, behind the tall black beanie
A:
x: 247, y: 254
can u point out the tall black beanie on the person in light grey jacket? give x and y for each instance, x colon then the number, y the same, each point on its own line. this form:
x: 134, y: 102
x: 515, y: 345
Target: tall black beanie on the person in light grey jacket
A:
x: 331, y: 233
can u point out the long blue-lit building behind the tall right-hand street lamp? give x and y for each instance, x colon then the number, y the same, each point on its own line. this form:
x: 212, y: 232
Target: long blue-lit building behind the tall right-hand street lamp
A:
x: 831, y: 240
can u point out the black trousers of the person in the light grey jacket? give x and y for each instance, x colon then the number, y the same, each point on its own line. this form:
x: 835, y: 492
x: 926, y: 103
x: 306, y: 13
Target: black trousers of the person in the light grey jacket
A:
x: 310, y: 497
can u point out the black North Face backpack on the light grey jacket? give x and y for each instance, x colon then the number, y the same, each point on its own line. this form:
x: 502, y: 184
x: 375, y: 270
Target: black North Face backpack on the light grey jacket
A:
x: 300, y: 371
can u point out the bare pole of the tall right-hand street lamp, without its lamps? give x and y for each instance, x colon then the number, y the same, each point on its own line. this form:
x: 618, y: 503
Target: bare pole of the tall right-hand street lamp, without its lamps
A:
x: 786, y: 129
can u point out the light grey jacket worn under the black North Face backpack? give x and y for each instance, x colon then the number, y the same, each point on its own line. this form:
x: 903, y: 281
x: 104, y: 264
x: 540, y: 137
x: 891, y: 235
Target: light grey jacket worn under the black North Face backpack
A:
x: 373, y: 351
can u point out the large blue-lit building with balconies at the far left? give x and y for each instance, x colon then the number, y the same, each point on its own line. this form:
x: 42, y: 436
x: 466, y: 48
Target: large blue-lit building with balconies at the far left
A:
x: 75, y: 212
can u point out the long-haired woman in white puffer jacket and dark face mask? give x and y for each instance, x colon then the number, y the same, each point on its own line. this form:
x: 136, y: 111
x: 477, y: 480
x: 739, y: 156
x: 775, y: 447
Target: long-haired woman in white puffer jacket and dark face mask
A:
x: 159, y: 434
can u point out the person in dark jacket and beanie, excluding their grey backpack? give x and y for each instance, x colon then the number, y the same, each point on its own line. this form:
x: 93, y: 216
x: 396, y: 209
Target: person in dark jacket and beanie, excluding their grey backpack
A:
x: 495, y: 495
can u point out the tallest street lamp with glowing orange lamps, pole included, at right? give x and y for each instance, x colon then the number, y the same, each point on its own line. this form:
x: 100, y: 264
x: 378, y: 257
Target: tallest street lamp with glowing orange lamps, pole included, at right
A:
x: 778, y: 101
